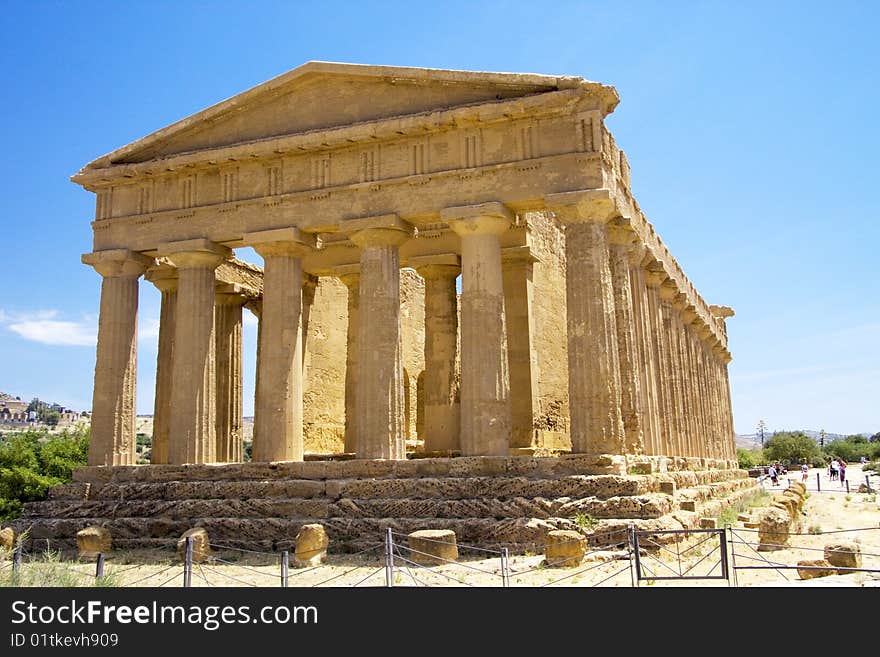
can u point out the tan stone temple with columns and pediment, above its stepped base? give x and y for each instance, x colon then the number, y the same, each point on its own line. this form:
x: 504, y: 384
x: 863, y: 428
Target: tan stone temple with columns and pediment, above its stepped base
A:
x: 575, y: 328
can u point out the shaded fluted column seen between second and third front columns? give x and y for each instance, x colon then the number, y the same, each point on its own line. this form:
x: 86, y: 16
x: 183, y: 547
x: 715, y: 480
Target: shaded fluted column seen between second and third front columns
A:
x: 228, y: 304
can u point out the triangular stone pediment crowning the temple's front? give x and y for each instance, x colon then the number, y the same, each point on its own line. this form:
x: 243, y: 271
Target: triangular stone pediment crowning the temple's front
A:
x: 324, y: 95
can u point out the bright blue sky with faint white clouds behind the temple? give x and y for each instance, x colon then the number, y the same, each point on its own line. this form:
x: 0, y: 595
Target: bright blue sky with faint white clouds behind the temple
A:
x: 751, y: 129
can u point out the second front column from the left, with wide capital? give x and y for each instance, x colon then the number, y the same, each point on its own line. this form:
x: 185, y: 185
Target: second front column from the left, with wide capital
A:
x: 193, y: 388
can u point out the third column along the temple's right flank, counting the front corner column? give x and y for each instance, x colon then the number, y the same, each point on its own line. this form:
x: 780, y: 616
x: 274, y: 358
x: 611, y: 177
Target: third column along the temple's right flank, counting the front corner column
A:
x: 648, y: 377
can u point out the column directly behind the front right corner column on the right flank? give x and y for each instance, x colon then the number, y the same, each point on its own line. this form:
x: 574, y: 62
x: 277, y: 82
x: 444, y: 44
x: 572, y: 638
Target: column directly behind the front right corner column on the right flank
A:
x: 621, y: 239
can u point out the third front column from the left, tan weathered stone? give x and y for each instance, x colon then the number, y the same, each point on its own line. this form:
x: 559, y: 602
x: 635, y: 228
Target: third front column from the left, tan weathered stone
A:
x: 278, y: 415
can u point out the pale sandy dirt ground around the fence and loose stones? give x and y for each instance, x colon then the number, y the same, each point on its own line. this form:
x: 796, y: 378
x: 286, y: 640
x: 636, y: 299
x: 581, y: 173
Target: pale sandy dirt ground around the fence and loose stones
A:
x: 830, y: 513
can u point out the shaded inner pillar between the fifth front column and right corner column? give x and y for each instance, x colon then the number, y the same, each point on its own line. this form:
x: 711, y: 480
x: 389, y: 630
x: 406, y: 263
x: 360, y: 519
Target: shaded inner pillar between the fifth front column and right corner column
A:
x: 517, y: 265
